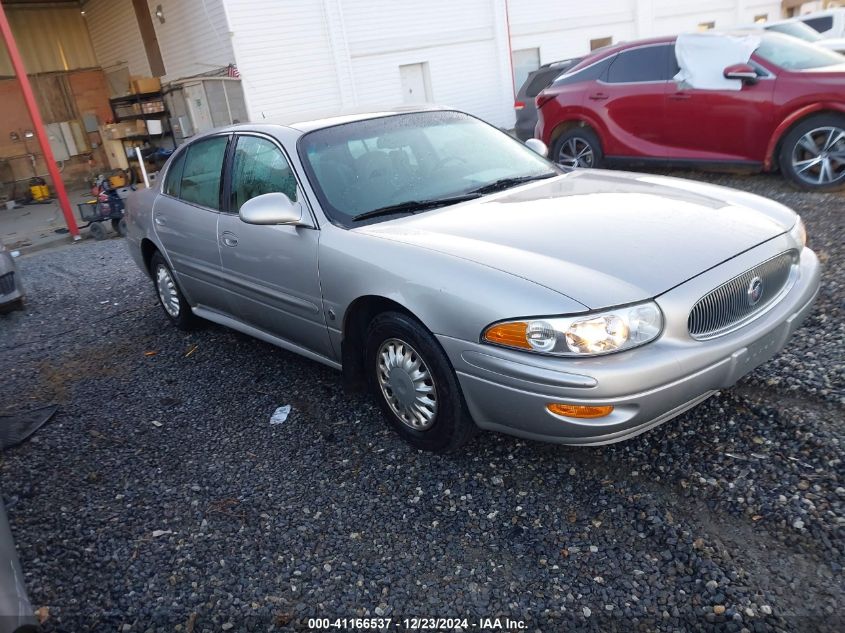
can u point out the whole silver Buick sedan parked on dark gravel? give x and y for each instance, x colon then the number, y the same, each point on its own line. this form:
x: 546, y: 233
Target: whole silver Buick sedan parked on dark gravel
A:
x: 467, y: 281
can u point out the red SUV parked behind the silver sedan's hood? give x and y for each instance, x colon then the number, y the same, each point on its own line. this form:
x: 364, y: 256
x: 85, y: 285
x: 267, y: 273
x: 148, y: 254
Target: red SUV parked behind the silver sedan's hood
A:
x: 622, y: 104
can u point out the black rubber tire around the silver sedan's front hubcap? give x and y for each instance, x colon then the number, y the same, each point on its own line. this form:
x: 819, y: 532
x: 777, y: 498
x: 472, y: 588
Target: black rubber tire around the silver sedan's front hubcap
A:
x: 451, y: 427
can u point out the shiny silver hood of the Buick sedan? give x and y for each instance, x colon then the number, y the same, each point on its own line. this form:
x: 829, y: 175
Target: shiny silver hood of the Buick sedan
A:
x: 601, y: 238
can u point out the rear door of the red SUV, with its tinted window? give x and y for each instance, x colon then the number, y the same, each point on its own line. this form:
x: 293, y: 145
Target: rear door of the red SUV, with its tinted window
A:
x: 632, y: 99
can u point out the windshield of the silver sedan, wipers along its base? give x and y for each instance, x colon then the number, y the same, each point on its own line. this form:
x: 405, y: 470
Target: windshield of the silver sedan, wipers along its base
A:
x: 411, y: 162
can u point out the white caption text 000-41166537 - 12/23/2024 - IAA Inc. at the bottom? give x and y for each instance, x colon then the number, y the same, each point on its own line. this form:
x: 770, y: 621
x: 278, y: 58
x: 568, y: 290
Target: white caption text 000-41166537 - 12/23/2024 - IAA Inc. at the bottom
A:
x: 416, y: 624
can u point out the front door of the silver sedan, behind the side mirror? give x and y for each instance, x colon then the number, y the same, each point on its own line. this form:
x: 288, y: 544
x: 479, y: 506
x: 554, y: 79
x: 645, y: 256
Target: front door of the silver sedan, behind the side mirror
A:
x: 270, y: 272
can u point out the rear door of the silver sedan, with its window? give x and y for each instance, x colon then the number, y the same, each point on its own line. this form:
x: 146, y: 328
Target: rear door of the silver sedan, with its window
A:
x: 185, y: 219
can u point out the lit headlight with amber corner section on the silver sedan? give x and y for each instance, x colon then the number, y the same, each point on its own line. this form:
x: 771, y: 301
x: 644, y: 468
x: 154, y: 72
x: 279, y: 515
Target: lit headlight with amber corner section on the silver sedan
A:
x: 580, y: 335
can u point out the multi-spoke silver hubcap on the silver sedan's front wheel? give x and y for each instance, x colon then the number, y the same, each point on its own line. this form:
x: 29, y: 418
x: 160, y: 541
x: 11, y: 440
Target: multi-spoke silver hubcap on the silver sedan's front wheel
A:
x: 406, y: 384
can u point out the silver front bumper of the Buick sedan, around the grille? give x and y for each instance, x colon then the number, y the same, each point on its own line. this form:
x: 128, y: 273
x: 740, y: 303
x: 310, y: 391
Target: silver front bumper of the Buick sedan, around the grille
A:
x: 508, y: 391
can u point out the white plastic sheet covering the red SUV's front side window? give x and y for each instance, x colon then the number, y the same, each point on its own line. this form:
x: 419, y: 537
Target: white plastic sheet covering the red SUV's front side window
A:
x: 703, y: 58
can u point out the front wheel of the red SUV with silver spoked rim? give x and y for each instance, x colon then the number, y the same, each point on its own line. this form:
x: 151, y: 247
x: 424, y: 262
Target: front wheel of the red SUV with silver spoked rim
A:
x: 798, y: 161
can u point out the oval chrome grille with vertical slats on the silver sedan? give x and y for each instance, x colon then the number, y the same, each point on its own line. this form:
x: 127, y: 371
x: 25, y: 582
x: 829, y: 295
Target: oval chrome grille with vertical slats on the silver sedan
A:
x: 731, y: 305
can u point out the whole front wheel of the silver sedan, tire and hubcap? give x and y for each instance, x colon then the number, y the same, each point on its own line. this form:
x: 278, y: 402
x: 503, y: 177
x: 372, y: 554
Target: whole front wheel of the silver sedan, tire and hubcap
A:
x: 415, y: 385
